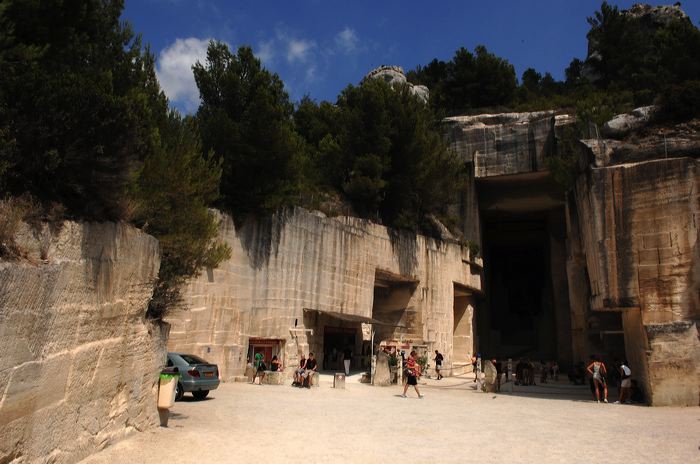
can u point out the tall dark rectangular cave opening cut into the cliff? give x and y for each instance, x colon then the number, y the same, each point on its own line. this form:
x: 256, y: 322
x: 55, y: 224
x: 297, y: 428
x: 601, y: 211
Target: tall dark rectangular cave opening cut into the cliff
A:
x: 524, y: 311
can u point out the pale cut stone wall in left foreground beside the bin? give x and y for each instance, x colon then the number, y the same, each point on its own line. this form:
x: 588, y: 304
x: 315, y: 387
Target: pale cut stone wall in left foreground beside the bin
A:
x: 78, y: 363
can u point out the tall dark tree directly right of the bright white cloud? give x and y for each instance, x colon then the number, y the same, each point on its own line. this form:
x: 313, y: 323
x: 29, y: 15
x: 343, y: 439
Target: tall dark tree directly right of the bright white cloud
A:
x: 246, y: 117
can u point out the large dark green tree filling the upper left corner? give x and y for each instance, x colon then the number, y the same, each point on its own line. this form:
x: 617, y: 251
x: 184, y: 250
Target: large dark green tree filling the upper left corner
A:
x: 79, y: 103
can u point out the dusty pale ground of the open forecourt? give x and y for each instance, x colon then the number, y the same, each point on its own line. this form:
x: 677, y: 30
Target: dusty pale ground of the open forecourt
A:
x: 453, y: 423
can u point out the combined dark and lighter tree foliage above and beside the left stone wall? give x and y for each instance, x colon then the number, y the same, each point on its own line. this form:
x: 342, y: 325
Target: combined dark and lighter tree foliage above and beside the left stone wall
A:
x: 84, y: 123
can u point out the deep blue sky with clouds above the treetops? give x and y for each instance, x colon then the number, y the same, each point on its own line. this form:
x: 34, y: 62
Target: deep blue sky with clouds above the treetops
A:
x: 318, y: 47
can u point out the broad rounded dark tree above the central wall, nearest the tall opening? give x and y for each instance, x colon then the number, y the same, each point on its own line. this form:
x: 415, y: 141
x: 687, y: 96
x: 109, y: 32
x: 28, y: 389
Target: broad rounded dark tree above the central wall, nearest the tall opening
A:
x: 387, y: 154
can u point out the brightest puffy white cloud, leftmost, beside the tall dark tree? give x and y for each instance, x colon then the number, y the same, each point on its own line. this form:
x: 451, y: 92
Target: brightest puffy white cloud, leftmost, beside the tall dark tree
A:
x: 174, y: 70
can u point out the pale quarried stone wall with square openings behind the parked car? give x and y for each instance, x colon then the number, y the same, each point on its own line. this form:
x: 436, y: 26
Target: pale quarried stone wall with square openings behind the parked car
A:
x: 295, y: 276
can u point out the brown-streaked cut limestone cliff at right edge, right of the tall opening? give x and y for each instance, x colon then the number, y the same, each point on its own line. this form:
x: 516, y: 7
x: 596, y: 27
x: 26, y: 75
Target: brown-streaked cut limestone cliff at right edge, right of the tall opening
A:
x: 634, y: 218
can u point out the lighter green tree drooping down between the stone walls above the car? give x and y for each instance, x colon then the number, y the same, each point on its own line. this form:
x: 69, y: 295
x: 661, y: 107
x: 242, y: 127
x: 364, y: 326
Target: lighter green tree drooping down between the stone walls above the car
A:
x: 174, y: 188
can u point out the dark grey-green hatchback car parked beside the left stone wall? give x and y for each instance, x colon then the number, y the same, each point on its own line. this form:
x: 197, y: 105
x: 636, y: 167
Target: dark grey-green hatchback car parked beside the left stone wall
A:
x: 196, y: 375
